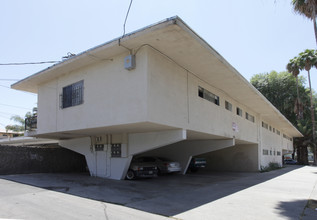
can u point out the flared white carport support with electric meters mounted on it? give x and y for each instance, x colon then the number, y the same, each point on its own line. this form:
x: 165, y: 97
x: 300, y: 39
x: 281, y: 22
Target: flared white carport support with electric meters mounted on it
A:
x: 97, y: 150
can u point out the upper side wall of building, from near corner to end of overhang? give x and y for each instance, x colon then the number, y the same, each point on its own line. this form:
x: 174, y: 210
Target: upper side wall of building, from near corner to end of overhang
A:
x: 173, y: 100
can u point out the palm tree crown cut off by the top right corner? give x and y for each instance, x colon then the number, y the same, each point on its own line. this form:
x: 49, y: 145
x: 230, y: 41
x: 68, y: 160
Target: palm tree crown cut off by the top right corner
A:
x: 307, y: 8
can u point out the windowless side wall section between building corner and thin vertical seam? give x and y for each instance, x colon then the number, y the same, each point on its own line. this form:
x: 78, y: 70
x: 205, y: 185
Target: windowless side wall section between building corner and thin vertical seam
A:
x: 167, y: 91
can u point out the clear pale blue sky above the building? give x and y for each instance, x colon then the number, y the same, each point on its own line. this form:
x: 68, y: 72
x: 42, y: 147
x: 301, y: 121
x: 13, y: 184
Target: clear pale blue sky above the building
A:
x: 254, y: 36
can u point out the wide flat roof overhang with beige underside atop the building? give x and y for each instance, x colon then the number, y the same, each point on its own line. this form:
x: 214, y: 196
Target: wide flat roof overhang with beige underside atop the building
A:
x: 176, y: 41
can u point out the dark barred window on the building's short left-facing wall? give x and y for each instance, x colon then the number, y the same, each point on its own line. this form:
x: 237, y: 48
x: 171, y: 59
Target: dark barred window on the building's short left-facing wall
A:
x: 73, y: 94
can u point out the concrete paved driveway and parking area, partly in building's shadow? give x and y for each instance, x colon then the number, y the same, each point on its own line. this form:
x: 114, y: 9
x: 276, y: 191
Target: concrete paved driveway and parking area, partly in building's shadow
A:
x: 288, y: 193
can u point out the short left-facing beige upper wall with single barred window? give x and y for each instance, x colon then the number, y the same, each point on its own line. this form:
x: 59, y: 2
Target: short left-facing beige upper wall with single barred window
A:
x: 112, y: 96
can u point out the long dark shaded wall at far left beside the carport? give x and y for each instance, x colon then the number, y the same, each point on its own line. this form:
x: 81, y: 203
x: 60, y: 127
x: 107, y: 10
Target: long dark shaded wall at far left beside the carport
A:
x: 52, y: 159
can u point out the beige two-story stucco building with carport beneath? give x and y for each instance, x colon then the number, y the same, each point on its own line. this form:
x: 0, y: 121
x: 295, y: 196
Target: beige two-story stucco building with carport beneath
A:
x: 161, y: 90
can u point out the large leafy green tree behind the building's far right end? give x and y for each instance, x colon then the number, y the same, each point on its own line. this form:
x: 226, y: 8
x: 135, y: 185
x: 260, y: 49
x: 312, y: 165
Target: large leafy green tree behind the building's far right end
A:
x: 281, y: 90
